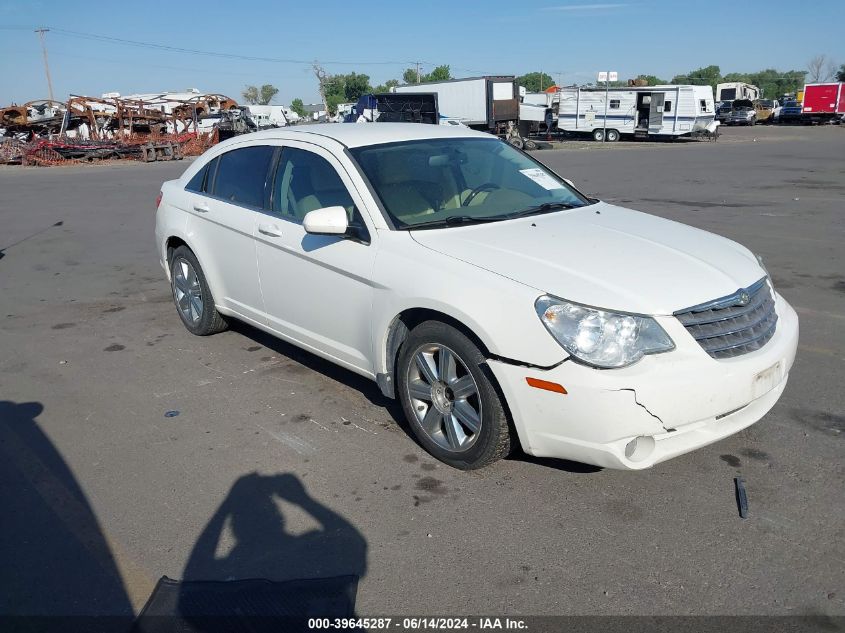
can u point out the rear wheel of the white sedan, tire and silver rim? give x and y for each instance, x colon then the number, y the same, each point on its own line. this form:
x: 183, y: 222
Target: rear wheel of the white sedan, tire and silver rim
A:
x: 192, y: 296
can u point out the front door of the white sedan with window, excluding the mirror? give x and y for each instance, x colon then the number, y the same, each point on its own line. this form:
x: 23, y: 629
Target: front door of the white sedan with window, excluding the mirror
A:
x: 317, y: 288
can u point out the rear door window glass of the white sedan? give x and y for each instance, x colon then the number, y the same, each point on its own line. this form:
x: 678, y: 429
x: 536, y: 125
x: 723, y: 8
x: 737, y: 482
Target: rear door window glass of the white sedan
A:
x: 242, y: 174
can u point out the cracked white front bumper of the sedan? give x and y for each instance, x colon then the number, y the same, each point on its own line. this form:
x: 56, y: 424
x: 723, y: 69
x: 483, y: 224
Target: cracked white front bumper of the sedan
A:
x: 669, y: 403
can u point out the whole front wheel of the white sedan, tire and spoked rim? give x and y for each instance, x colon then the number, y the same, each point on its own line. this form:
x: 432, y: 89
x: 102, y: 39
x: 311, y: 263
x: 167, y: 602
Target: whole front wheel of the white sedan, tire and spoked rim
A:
x: 449, y: 398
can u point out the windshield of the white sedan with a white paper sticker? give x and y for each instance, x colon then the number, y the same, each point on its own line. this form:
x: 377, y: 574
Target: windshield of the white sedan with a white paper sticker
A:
x: 433, y: 183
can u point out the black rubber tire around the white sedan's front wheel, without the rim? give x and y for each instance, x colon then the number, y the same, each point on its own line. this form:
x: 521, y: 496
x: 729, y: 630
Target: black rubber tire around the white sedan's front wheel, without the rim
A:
x: 494, y: 438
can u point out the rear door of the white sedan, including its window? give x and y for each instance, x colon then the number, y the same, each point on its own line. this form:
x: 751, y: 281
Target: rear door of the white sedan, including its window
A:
x: 222, y: 225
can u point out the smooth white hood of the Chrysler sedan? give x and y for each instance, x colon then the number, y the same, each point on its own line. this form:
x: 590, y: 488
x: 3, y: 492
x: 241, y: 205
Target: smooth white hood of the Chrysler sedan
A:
x: 604, y: 256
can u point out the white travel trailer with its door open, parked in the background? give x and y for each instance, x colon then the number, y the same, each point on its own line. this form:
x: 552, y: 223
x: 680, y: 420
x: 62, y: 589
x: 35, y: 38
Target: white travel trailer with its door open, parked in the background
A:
x: 648, y: 111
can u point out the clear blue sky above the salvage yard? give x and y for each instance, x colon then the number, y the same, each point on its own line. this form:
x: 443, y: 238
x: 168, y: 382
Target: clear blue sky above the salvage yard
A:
x: 571, y: 40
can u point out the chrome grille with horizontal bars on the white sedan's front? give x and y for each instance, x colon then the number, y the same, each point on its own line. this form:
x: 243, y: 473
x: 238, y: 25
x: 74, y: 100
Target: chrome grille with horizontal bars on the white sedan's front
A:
x: 734, y: 325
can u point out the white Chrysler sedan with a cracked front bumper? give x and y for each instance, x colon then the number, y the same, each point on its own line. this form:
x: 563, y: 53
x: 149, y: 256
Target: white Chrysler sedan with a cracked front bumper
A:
x: 498, y: 303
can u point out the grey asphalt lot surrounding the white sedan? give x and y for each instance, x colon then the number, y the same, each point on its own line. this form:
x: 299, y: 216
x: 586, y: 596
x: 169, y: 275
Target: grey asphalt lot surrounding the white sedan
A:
x: 102, y: 494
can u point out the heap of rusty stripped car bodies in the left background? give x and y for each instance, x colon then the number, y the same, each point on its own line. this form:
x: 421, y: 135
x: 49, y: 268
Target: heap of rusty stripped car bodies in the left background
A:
x: 151, y: 127
